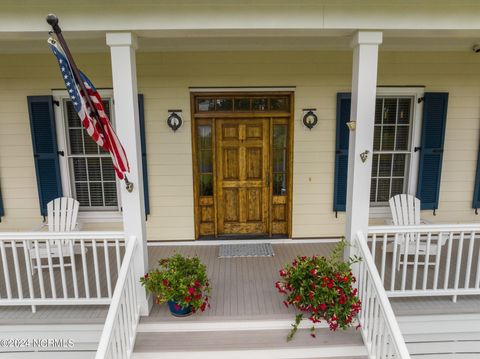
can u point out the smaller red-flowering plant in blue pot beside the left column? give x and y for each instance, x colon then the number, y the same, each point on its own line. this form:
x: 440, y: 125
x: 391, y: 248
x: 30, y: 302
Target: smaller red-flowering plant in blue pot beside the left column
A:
x: 181, y: 282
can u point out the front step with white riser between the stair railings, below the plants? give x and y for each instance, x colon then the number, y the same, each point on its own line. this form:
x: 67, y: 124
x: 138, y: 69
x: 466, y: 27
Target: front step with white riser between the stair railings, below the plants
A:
x: 260, y: 343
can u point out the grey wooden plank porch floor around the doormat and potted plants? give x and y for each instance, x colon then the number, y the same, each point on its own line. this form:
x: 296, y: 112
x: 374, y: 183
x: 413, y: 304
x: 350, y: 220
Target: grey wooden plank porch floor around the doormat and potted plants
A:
x: 242, y: 289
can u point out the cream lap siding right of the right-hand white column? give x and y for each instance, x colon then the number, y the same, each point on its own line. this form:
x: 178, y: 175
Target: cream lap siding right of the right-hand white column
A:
x: 459, y: 75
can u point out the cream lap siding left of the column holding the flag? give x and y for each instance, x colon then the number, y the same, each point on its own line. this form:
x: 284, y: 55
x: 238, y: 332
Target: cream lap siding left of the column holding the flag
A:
x: 21, y: 76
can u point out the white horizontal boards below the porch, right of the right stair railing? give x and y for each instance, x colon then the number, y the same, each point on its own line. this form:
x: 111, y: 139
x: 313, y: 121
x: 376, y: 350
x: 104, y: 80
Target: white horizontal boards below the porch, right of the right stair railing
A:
x: 455, y: 336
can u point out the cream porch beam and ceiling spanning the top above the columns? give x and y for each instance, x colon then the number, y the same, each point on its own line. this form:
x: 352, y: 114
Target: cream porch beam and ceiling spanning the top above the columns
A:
x: 217, y: 25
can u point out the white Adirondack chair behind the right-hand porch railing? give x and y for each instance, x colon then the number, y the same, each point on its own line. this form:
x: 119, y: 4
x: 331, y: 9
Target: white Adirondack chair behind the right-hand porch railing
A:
x: 405, y: 210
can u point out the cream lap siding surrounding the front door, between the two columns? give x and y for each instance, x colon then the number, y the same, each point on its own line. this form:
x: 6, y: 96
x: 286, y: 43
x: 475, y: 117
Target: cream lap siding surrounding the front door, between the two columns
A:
x: 164, y: 78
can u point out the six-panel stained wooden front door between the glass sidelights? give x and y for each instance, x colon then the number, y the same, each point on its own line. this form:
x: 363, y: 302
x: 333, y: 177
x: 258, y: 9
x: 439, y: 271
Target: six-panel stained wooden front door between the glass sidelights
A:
x: 242, y: 186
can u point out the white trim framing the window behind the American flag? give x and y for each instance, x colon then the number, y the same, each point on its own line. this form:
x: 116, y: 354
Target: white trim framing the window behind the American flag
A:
x: 65, y: 172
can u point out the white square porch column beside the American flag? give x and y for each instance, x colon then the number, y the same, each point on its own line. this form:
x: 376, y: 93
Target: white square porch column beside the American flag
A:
x: 124, y: 77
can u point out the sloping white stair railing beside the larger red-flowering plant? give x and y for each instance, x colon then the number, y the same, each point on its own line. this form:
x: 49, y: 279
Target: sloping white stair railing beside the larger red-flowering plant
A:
x: 380, y: 331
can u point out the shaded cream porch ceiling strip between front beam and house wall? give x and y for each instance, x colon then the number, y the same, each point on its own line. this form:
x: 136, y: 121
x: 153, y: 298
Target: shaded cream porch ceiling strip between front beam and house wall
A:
x: 246, y: 40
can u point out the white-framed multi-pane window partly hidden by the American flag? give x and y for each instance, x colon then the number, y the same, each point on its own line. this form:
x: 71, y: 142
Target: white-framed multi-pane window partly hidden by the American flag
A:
x: 87, y: 170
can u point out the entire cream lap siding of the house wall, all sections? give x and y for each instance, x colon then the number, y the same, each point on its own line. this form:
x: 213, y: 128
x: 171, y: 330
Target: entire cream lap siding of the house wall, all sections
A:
x: 165, y: 78
